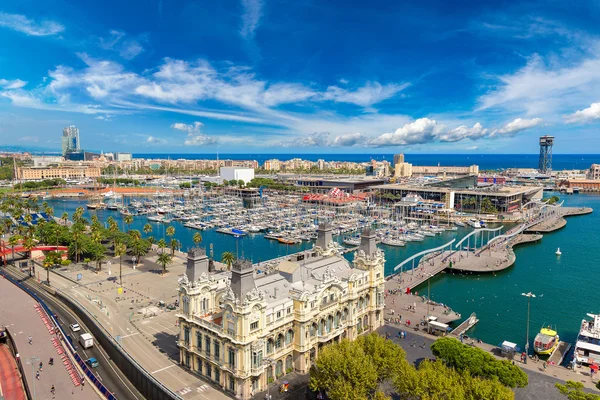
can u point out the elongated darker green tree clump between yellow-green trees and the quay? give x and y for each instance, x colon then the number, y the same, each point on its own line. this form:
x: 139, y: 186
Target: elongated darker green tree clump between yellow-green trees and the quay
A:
x: 478, y: 362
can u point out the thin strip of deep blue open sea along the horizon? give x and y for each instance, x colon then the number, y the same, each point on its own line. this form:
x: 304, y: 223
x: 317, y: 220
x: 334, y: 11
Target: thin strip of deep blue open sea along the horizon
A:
x: 484, y: 161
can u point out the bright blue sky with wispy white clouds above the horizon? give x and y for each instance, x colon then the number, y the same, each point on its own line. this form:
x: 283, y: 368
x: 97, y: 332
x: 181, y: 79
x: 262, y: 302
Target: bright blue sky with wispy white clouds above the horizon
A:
x: 160, y: 76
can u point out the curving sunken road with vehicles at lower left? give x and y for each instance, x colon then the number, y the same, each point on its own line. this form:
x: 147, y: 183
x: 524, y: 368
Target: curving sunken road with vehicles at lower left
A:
x: 107, y: 372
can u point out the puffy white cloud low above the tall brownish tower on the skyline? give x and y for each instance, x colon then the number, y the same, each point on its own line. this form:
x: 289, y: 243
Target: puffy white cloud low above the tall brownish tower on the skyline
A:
x: 423, y: 130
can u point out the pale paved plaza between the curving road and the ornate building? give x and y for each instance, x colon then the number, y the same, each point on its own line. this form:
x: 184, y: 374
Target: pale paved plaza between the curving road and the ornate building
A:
x: 145, y: 330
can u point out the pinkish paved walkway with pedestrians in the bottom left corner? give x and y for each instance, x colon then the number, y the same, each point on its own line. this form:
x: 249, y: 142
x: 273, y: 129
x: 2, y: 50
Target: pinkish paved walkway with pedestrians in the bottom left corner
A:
x: 18, y: 313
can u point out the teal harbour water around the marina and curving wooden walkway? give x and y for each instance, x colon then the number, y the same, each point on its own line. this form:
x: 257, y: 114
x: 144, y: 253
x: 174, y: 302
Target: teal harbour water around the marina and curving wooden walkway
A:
x: 565, y: 286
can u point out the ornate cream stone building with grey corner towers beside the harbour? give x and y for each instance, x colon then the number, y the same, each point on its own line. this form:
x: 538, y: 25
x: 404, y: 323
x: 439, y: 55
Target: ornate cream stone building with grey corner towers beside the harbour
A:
x: 244, y: 328
